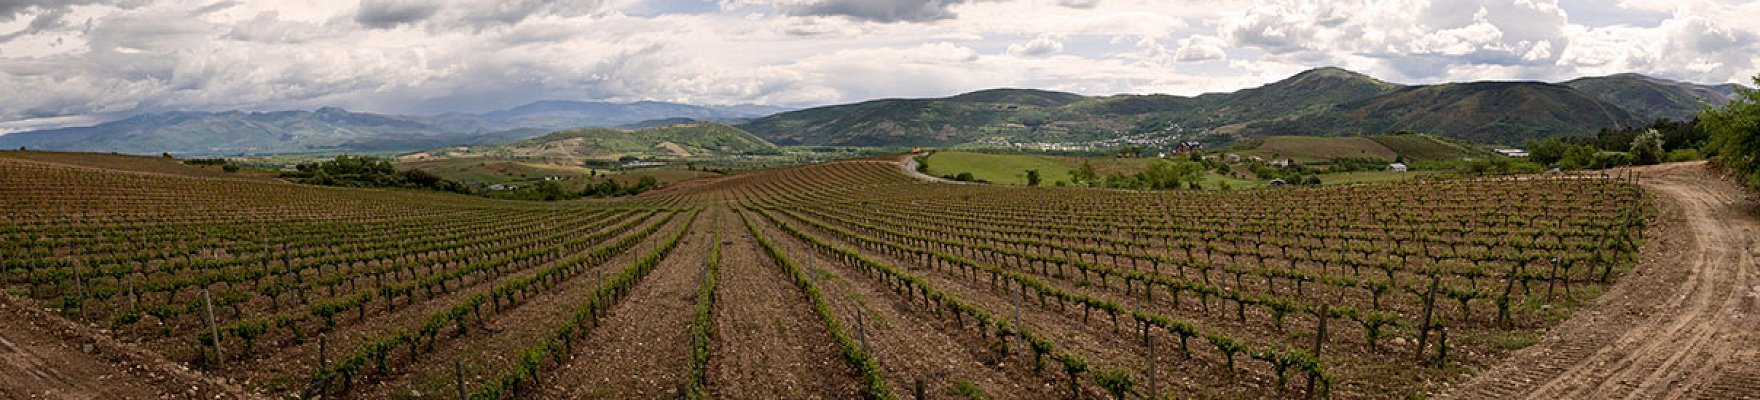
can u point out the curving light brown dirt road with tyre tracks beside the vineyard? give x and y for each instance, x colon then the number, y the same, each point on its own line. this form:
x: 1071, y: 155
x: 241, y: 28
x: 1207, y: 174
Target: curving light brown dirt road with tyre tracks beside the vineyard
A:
x: 1683, y: 325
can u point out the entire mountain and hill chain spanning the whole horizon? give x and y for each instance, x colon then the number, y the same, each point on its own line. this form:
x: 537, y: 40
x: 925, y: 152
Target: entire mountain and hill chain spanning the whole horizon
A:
x: 1314, y: 103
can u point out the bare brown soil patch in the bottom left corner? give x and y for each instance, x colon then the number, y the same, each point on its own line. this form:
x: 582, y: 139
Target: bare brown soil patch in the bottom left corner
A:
x: 47, y: 357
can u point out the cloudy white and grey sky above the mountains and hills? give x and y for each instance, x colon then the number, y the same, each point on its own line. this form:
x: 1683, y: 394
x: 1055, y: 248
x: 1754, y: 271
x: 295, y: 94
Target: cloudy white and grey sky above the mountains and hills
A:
x: 73, y: 63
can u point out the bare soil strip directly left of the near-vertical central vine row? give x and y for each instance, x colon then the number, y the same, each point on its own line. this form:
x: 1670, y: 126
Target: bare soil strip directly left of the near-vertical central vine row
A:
x: 640, y: 350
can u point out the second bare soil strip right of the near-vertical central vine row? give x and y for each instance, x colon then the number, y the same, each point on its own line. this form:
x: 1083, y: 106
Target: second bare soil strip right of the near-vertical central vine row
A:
x: 909, y: 341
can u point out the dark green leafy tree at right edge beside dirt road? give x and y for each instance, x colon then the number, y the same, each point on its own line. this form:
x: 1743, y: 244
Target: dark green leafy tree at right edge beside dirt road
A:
x: 1736, y: 133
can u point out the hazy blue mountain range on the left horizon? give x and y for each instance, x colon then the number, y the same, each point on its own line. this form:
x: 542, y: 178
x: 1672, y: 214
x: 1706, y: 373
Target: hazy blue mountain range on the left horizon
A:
x: 334, y: 130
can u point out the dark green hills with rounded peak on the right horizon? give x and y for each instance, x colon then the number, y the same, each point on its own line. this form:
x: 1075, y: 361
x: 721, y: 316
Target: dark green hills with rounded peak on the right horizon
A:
x: 1314, y: 103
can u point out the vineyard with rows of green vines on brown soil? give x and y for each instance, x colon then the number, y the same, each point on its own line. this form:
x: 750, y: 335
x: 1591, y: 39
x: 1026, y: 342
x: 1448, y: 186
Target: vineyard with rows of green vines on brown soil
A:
x: 830, y: 281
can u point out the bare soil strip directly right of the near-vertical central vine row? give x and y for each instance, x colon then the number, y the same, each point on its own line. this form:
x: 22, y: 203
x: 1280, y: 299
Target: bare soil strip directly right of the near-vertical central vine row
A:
x: 768, y: 343
